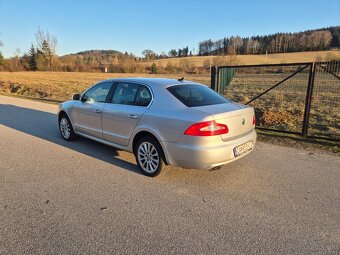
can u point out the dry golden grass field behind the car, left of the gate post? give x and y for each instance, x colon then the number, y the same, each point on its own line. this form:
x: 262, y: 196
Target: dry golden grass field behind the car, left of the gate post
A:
x: 60, y: 86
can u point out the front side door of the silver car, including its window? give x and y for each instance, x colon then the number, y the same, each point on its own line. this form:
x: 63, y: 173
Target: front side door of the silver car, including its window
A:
x: 87, y: 113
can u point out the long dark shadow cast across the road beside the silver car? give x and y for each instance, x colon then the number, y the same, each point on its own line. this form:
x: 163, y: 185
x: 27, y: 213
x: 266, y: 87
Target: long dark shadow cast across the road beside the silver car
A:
x: 44, y: 125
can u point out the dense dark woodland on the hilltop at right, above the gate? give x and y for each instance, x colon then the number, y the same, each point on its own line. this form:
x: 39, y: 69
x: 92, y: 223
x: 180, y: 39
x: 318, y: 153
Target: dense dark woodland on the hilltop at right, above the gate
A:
x: 311, y: 40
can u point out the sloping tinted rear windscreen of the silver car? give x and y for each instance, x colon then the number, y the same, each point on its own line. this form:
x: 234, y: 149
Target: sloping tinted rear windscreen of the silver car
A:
x: 196, y: 95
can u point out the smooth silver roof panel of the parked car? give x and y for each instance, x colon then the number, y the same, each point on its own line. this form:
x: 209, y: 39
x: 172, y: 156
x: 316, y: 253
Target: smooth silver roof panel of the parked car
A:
x: 162, y: 82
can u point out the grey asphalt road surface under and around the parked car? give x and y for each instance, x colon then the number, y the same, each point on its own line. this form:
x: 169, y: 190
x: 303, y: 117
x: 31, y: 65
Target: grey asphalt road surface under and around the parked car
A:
x: 82, y: 197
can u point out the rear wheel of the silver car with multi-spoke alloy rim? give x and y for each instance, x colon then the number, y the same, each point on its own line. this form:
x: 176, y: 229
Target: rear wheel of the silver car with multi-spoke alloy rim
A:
x: 149, y: 156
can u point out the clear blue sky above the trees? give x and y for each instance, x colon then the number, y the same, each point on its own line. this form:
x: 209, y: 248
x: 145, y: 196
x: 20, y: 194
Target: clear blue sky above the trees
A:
x: 154, y: 24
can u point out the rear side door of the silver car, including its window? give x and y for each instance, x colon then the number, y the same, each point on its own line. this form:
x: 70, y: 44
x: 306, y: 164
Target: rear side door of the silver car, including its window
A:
x: 120, y: 117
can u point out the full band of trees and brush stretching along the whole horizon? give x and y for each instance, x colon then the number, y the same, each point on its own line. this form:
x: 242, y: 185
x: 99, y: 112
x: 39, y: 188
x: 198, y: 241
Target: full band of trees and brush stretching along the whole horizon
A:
x: 42, y: 55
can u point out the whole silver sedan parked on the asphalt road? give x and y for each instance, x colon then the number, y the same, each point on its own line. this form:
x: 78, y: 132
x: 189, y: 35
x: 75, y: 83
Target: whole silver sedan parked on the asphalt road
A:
x: 162, y: 121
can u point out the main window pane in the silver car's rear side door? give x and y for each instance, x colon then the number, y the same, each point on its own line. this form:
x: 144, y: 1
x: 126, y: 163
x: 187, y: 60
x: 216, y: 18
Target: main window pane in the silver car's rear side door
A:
x: 125, y: 93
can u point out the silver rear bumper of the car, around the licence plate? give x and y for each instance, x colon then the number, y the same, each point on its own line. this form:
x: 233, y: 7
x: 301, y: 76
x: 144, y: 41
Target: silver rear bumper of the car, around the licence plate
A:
x: 208, y: 156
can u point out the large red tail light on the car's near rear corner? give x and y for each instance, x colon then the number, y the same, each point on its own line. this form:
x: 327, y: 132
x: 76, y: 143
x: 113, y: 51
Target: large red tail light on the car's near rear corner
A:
x: 207, y: 128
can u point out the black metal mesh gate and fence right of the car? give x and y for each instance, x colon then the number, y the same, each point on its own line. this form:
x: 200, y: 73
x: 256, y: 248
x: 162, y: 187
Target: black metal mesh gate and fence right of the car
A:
x: 298, y: 98
